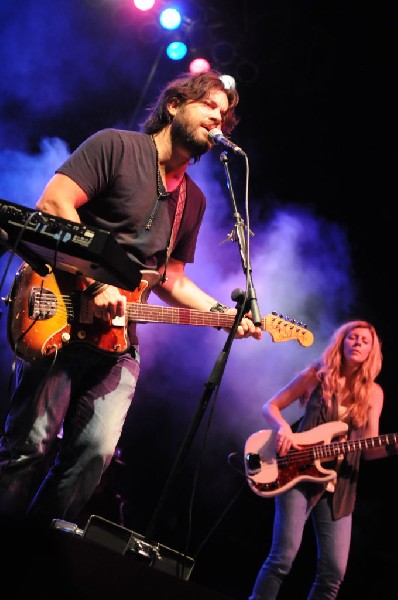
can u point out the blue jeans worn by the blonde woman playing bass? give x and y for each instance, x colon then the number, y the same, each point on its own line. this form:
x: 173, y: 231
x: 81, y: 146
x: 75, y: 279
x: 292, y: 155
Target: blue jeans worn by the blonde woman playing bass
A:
x: 333, y: 538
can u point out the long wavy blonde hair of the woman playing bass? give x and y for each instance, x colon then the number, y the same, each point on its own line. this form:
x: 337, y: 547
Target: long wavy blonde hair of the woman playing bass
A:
x: 329, y: 371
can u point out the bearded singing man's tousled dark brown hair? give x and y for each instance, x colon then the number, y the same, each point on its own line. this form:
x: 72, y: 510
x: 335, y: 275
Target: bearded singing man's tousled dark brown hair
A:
x: 191, y: 88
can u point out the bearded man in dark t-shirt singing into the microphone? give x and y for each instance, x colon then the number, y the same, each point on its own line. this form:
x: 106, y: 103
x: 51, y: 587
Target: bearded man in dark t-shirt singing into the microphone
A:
x: 135, y: 185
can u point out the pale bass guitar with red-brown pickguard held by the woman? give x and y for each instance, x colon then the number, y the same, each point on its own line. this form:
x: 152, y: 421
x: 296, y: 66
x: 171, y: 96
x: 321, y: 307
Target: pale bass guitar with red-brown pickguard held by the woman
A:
x: 269, y: 474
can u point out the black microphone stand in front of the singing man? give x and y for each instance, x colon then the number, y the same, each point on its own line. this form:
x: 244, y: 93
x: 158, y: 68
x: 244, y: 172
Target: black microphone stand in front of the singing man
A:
x: 215, y: 378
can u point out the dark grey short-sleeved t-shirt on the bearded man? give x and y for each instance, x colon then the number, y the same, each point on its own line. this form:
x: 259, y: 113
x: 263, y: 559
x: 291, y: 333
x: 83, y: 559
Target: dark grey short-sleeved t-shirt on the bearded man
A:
x: 117, y: 169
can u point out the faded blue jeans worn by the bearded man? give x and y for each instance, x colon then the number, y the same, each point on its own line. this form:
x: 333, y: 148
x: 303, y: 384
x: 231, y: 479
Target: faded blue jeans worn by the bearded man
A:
x: 86, y: 396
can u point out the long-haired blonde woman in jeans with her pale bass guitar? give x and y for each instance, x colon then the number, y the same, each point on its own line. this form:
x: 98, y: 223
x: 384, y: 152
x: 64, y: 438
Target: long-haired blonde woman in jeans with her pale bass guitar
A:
x: 341, y: 398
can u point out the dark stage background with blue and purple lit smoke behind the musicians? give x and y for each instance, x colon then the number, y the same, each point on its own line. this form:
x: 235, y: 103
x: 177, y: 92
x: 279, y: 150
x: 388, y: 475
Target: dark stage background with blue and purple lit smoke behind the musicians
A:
x: 317, y: 82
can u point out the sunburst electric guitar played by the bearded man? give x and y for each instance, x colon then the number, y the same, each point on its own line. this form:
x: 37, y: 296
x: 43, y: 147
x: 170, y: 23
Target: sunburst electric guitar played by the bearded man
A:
x: 48, y: 313
